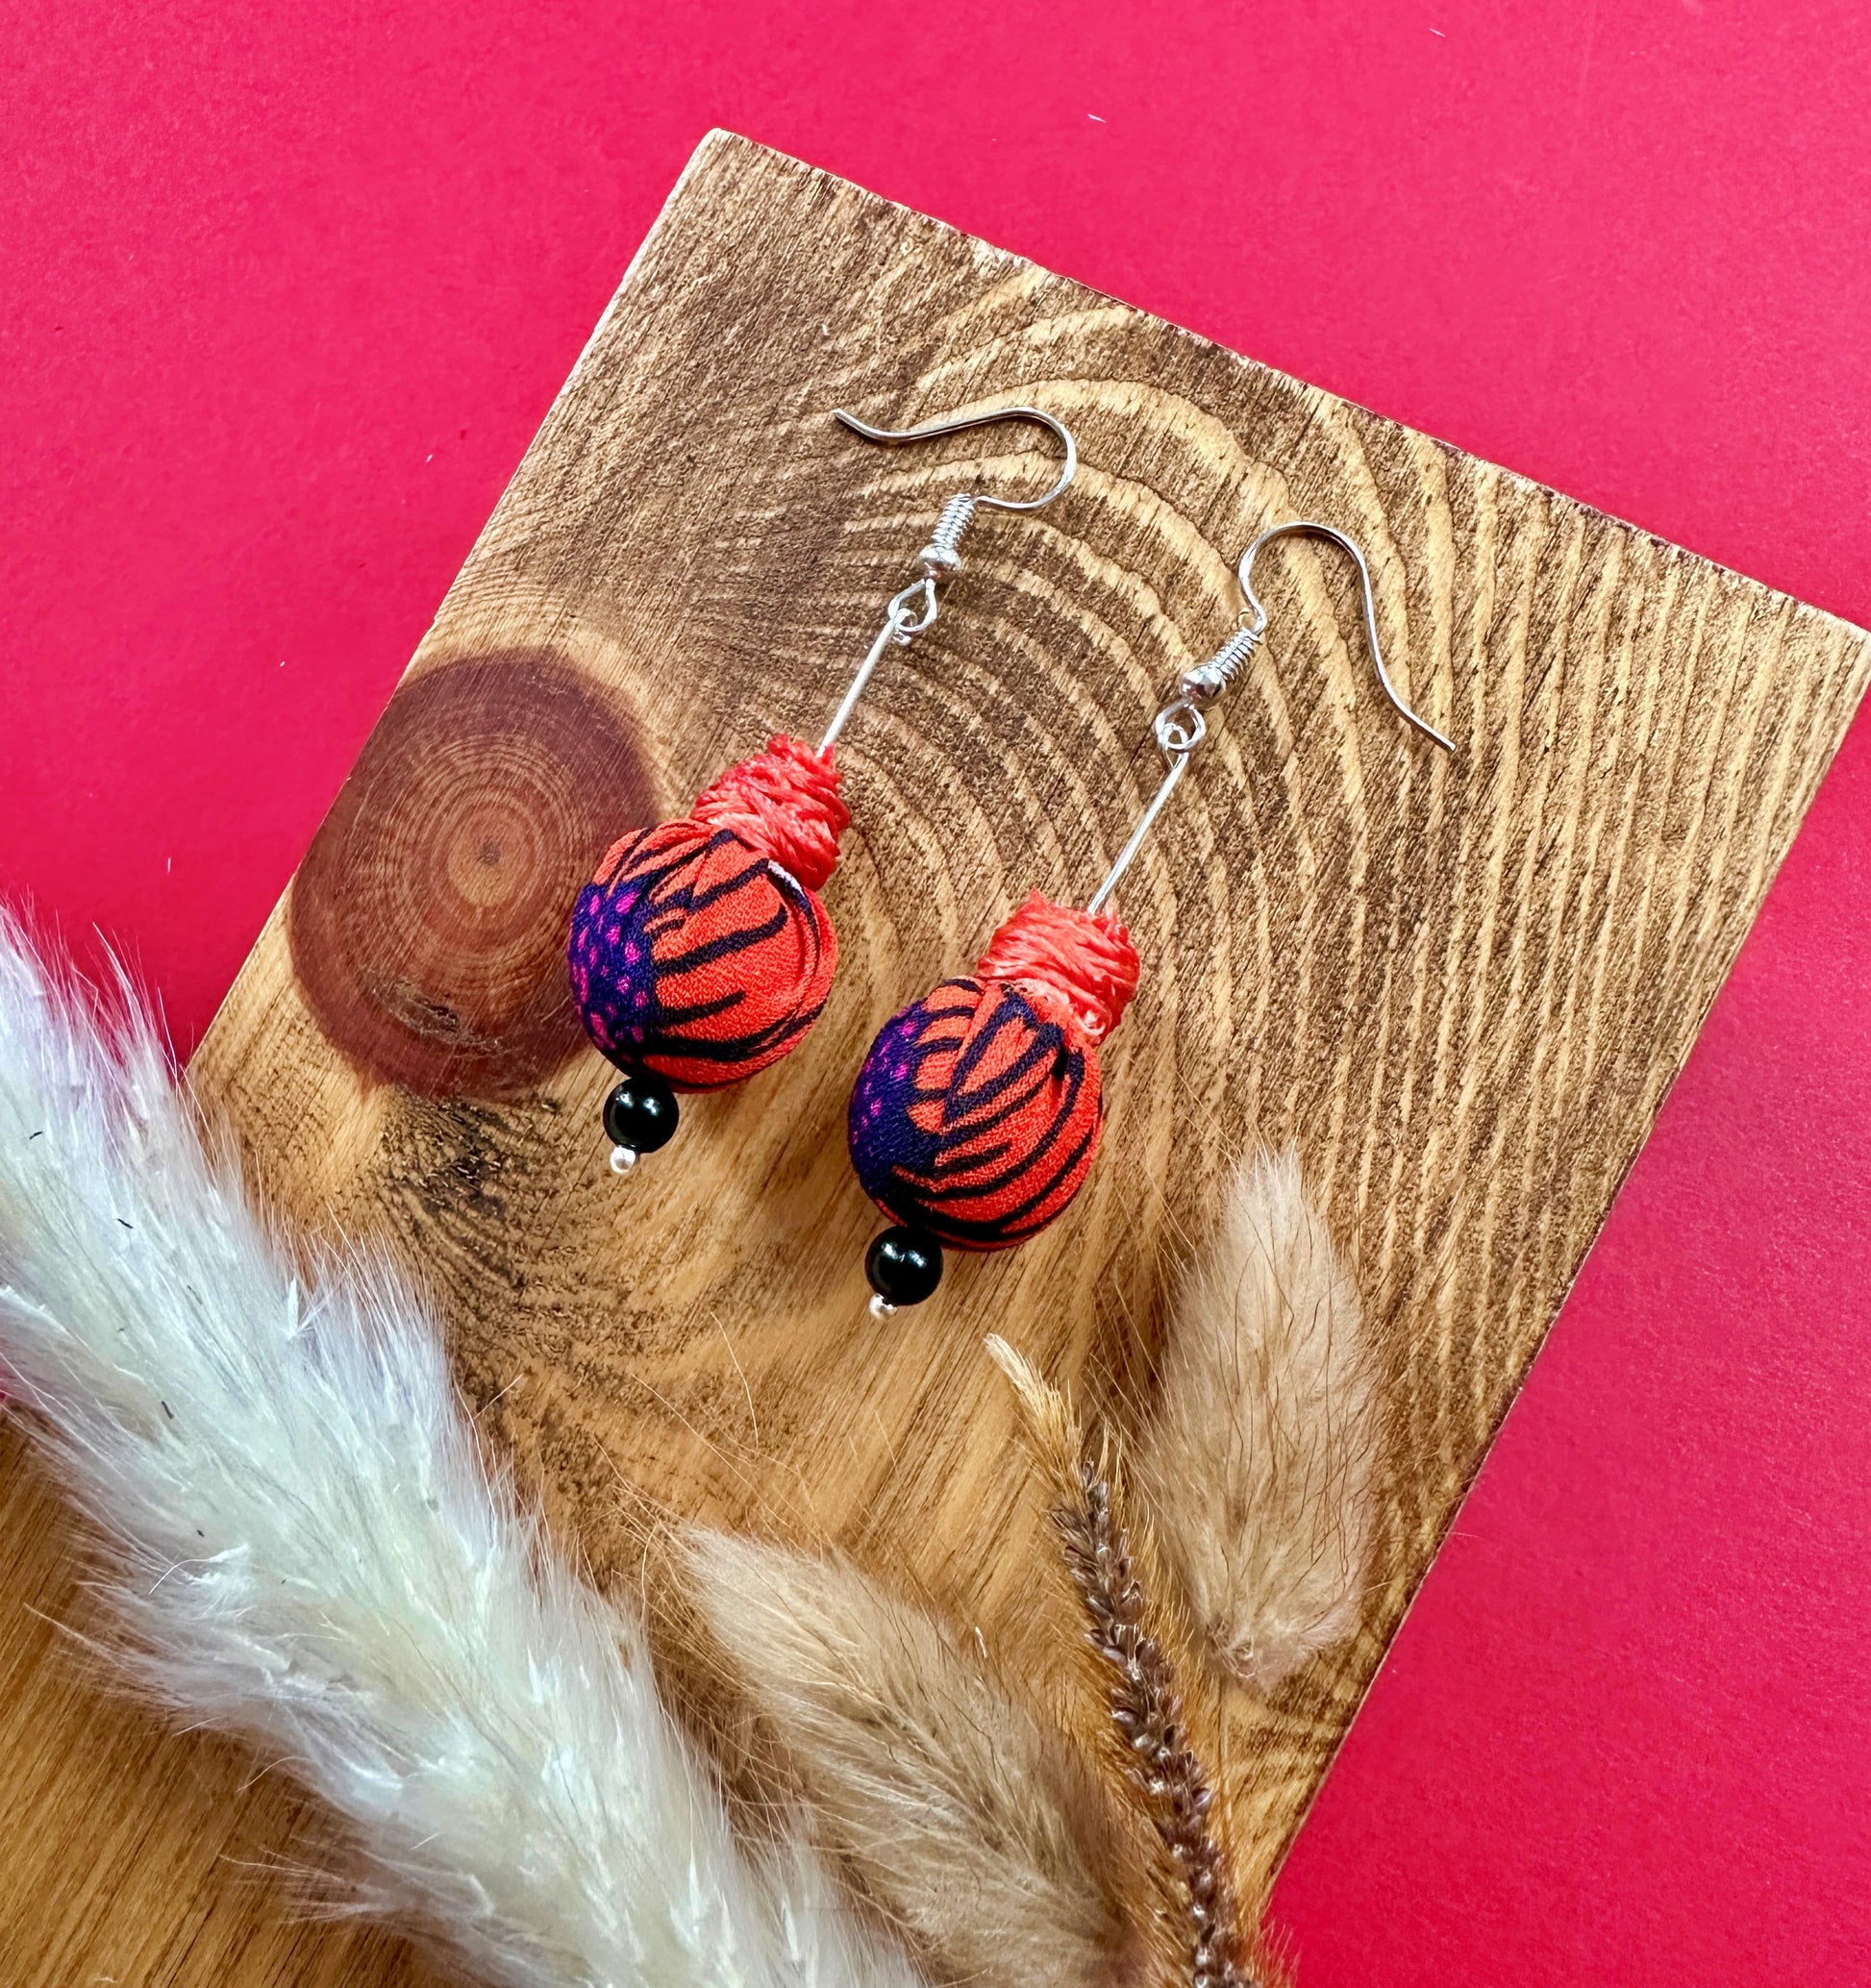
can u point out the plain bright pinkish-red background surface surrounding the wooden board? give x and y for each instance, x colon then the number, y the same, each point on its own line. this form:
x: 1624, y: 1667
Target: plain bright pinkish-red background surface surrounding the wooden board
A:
x: 287, y: 291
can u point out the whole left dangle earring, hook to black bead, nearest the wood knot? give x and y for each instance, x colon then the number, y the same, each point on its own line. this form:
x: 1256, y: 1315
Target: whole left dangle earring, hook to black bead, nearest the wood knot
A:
x: 701, y: 951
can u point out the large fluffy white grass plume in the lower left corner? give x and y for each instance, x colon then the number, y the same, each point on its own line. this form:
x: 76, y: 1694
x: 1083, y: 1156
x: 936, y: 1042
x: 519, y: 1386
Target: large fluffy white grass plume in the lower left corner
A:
x: 305, y: 1548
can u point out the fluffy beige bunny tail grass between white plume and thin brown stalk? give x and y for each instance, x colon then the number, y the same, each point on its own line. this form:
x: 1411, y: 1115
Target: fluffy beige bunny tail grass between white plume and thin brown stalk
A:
x: 965, y: 1820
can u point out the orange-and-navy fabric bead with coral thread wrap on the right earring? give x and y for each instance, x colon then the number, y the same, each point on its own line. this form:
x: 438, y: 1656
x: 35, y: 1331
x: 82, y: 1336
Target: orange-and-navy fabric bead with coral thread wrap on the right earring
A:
x: 979, y: 1110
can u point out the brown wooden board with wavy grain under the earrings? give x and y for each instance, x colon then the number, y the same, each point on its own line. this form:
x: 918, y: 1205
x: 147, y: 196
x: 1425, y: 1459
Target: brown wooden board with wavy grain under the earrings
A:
x: 1462, y: 985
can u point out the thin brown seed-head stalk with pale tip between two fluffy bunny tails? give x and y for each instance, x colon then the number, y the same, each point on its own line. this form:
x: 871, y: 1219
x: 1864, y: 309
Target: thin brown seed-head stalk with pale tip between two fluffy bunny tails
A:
x: 1138, y: 1677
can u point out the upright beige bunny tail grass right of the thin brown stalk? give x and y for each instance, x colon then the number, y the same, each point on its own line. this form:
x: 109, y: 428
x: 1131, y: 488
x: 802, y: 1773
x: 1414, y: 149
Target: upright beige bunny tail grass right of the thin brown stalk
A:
x: 1260, y: 1458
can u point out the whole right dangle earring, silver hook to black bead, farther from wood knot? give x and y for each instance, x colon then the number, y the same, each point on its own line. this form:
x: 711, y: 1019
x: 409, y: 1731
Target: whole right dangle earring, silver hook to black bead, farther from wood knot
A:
x: 977, y: 1112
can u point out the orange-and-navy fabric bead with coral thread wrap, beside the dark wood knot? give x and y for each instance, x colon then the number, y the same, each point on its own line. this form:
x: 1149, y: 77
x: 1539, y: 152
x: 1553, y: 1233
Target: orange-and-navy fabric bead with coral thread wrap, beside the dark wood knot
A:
x: 701, y: 949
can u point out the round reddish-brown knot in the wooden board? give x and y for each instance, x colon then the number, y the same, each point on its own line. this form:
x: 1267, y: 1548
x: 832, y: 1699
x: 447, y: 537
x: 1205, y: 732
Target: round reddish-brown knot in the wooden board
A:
x: 428, y: 919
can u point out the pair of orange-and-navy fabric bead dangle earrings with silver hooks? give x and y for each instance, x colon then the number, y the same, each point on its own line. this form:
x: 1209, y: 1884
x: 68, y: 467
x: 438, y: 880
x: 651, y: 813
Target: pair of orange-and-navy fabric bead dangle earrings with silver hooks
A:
x: 701, y: 953
